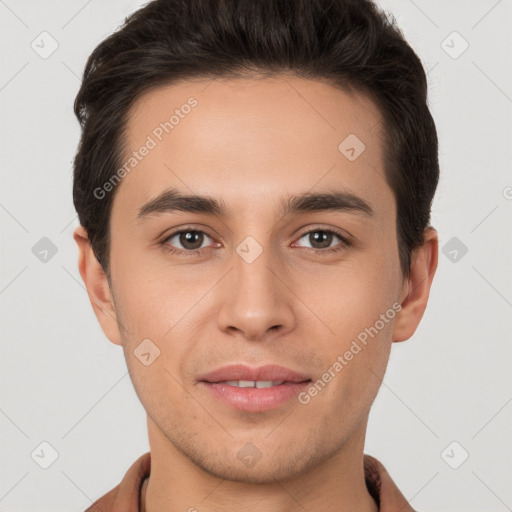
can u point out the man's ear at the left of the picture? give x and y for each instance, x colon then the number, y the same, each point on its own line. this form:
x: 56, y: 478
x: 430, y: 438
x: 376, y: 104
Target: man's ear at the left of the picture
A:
x: 97, y: 286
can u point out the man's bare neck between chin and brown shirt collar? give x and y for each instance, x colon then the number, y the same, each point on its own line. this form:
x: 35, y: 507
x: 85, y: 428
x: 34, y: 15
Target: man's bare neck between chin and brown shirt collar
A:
x: 336, y: 484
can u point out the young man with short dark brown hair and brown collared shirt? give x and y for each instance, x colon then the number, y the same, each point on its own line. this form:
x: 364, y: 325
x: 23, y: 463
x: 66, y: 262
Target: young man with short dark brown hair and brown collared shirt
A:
x: 254, y: 184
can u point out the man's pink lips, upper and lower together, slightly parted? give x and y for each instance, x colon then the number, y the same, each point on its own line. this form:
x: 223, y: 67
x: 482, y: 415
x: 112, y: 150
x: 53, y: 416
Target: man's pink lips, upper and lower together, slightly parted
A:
x: 254, y: 399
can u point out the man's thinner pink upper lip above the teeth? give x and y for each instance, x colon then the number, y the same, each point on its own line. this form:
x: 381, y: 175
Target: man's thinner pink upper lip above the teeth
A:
x: 243, y: 372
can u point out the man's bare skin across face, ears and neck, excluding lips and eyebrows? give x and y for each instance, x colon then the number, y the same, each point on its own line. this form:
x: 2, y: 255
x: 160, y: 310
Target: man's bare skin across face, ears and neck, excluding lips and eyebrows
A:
x: 250, y: 143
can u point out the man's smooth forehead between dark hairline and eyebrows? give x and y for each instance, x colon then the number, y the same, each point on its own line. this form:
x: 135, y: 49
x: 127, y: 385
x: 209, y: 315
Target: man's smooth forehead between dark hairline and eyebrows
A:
x: 248, y: 140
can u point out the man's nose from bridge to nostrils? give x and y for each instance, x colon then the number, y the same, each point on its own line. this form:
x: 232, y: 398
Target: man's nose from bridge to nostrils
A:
x: 256, y: 302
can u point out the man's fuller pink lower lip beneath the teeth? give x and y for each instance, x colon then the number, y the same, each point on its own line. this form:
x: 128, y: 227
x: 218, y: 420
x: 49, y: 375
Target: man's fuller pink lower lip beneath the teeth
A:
x: 255, y: 399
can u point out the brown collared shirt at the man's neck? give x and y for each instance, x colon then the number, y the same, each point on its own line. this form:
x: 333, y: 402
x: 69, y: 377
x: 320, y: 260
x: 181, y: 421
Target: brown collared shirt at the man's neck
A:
x: 129, y: 495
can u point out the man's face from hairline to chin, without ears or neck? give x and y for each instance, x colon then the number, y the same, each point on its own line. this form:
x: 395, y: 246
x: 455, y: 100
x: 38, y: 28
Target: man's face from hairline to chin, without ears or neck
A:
x: 239, y: 278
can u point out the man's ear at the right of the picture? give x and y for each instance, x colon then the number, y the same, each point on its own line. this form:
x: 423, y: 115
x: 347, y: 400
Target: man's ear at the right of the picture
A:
x: 416, y: 287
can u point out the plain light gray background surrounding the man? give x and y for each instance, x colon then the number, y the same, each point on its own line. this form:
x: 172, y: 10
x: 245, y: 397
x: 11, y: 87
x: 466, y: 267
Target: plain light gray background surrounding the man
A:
x: 64, y: 383
